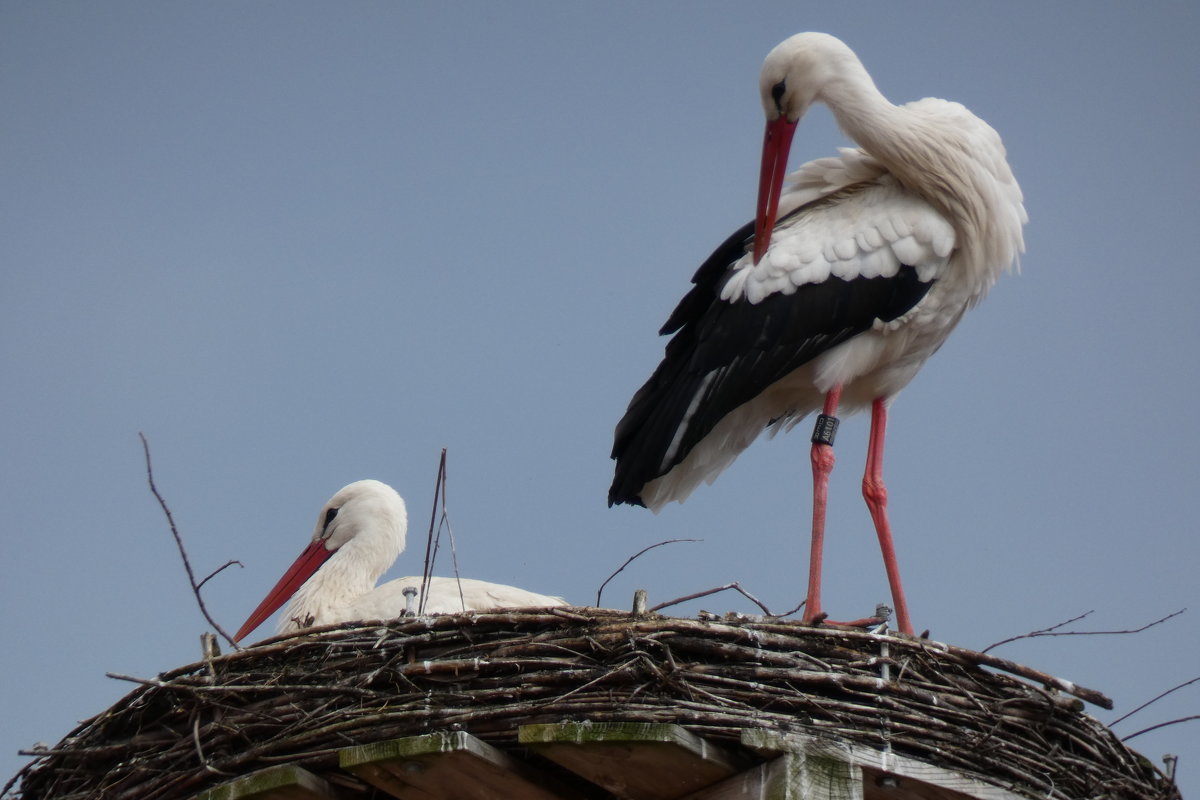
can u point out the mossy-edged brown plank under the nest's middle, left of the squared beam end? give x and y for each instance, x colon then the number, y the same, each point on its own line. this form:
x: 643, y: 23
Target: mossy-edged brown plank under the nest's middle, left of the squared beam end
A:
x: 635, y: 761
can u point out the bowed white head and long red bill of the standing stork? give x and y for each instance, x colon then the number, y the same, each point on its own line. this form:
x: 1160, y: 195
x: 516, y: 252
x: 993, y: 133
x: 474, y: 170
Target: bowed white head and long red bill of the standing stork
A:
x: 796, y: 74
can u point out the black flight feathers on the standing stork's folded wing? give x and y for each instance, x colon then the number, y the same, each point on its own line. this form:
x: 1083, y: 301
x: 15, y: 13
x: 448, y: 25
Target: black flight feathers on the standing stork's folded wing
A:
x: 746, y: 347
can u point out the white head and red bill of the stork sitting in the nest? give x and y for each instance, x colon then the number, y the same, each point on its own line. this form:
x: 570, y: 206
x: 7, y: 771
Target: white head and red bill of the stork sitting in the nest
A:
x: 367, y: 521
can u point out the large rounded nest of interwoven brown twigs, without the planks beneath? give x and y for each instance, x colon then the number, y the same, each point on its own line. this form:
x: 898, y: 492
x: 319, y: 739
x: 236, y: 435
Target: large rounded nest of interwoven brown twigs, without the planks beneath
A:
x: 301, y: 699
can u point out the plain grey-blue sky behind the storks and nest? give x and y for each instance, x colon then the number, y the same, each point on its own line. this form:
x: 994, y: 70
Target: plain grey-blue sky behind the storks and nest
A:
x: 304, y: 244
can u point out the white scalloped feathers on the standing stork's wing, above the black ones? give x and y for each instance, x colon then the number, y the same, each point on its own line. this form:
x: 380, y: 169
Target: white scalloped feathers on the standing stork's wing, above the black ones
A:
x: 869, y: 234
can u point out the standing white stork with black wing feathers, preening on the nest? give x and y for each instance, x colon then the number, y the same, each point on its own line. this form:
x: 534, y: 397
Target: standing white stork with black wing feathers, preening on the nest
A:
x: 847, y: 282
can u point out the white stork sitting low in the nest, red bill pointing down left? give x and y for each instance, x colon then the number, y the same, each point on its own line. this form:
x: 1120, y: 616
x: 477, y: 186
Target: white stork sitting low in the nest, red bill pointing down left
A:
x: 359, y: 536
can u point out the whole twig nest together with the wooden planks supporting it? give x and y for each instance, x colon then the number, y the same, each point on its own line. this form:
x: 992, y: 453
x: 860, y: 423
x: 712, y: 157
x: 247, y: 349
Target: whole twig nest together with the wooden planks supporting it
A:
x: 592, y: 703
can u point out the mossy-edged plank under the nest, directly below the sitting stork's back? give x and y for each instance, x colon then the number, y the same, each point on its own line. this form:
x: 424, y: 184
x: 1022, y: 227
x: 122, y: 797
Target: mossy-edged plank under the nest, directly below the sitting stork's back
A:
x: 452, y: 765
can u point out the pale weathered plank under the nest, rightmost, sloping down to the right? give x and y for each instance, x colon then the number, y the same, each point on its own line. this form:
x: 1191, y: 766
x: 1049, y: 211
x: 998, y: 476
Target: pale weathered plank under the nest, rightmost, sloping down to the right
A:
x: 886, y: 777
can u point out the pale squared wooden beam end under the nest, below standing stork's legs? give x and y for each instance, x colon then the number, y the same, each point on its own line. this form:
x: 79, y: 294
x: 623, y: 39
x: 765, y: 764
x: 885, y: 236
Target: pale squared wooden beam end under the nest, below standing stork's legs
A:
x: 793, y: 777
